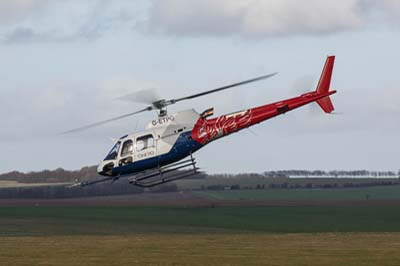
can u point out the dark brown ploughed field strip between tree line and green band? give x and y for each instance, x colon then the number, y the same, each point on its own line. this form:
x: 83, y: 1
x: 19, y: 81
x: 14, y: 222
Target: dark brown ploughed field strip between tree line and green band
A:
x: 190, y: 199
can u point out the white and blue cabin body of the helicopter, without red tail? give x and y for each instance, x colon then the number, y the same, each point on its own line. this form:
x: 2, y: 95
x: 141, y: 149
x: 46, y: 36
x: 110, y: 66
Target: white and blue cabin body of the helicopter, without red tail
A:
x: 165, y: 140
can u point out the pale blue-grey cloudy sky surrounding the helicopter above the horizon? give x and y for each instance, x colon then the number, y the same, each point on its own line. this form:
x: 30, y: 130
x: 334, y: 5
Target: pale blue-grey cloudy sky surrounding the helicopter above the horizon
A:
x: 63, y: 63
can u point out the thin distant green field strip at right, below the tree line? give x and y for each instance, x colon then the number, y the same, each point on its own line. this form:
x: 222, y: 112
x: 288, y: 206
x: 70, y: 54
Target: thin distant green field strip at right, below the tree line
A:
x: 380, y: 193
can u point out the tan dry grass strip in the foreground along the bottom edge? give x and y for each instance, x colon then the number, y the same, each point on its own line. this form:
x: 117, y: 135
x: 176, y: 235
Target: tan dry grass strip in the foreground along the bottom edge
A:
x: 210, y: 249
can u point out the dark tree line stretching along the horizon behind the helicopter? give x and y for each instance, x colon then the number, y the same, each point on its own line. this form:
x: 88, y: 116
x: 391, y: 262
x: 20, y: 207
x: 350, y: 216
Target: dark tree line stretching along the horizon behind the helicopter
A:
x: 266, y: 180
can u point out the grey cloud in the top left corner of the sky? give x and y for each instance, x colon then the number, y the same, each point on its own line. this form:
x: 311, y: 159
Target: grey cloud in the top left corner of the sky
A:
x: 45, y: 21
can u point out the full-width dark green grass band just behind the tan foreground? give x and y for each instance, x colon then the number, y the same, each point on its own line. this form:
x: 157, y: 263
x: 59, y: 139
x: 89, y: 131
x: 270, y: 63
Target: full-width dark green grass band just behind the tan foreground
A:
x: 28, y: 221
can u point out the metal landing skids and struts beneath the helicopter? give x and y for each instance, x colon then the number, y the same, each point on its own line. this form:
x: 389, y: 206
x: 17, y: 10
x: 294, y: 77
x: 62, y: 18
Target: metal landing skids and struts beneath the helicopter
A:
x: 165, y: 174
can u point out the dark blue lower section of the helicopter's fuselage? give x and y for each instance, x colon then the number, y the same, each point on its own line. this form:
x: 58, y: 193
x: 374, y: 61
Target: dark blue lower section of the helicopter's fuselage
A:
x: 183, y: 147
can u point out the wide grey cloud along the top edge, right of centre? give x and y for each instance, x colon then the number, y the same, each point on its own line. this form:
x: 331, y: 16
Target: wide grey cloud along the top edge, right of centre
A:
x: 256, y: 18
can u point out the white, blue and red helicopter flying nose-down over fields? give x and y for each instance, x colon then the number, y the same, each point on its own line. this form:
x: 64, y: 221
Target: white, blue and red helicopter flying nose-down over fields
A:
x: 163, y: 152
